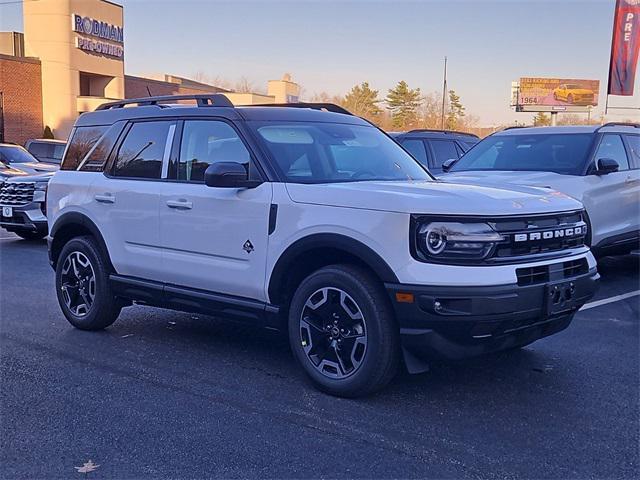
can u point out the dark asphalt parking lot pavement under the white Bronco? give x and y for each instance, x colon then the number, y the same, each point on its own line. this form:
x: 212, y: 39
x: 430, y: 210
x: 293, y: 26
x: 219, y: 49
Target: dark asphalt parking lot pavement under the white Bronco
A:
x: 166, y: 394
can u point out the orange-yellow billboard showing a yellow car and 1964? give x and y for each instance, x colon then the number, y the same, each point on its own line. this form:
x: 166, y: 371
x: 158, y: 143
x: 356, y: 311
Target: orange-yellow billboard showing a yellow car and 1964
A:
x: 557, y: 94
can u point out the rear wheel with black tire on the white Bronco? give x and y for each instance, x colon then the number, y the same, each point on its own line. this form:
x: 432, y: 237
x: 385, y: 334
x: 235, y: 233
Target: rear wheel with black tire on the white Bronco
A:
x: 101, y: 308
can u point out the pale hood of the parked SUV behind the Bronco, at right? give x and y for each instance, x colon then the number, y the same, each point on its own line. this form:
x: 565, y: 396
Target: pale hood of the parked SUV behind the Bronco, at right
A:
x: 504, y: 177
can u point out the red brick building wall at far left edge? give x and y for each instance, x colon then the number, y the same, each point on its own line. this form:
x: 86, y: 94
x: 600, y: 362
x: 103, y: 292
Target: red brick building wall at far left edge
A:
x: 21, y: 88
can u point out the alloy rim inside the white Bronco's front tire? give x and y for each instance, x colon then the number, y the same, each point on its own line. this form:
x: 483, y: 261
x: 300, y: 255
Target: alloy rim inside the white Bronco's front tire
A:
x: 333, y: 332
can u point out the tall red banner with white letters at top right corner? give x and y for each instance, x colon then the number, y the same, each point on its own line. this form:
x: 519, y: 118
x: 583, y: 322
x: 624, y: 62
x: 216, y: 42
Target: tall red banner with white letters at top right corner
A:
x: 625, y: 47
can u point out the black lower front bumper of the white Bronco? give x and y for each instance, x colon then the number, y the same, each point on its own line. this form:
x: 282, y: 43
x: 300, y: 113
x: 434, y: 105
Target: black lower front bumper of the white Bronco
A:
x: 459, y: 322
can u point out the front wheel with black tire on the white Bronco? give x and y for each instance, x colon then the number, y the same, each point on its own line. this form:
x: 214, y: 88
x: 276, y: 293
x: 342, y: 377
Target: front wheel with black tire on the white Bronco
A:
x: 359, y: 370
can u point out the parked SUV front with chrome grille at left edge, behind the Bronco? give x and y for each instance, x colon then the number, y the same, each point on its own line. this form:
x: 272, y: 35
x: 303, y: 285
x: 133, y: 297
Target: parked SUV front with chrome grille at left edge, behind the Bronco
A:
x: 23, y: 205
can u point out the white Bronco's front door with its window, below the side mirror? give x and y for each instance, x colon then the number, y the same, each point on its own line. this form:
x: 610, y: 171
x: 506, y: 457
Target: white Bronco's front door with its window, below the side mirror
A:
x: 213, y: 239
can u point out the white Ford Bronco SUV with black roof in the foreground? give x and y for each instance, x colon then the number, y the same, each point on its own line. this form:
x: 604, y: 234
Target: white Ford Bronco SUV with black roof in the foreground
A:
x: 310, y: 220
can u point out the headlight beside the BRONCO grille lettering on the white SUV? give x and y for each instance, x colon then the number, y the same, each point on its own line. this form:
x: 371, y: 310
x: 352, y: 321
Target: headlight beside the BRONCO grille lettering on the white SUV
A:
x: 443, y: 241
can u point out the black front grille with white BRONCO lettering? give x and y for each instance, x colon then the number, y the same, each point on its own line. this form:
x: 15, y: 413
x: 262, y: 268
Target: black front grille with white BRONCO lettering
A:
x: 539, y: 235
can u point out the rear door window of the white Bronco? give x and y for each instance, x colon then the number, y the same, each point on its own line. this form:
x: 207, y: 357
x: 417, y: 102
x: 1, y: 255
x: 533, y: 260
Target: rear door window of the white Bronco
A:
x: 142, y: 151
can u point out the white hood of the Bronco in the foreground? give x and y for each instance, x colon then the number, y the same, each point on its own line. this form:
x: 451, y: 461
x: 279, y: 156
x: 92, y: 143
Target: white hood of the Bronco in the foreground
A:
x: 434, y: 198
